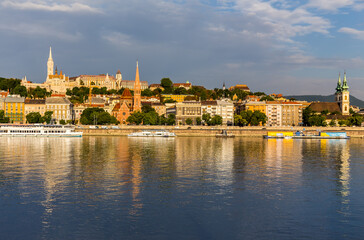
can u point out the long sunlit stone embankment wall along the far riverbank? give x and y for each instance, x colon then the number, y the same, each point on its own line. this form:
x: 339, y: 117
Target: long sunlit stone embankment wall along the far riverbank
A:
x: 205, y: 131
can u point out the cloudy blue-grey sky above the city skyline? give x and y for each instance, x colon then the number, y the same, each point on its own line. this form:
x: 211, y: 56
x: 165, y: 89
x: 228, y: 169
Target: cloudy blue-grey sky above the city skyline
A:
x: 292, y: 47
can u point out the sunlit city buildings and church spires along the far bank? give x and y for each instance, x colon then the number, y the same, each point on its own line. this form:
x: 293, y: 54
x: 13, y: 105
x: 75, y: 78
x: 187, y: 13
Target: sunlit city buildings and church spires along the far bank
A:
x: 280, y: 112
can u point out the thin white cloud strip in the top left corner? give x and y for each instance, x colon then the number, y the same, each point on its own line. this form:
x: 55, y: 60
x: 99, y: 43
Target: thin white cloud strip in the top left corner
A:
x: 41, y: 6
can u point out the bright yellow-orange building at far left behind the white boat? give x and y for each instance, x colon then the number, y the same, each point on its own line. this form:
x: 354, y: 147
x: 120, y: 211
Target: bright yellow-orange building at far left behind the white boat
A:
x: 14, y: 109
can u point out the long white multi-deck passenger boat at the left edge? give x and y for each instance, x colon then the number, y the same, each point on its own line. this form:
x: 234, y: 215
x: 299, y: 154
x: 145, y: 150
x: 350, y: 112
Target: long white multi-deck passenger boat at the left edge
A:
x: 38, y: 130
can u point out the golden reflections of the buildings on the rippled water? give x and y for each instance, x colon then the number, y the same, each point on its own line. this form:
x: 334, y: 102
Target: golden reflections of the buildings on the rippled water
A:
x: 93, y: 169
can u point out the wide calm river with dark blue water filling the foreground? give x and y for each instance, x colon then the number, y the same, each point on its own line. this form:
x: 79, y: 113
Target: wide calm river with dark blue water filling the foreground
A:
x: 182, y: 188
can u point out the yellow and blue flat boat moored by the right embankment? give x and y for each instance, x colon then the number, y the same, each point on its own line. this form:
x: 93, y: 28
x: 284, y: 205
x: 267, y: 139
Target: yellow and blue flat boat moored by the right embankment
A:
x: 301, y: 135
